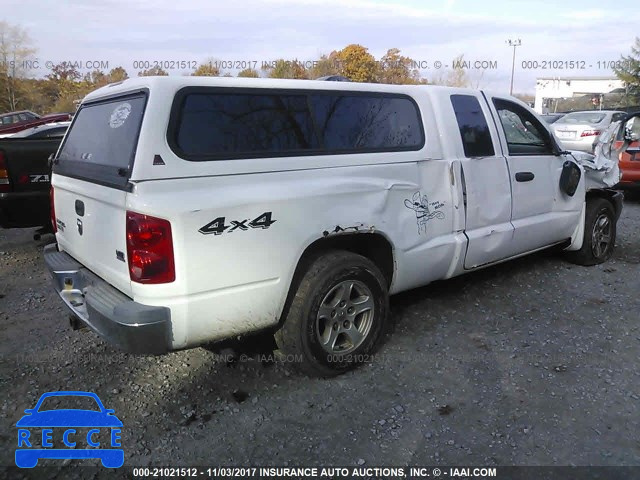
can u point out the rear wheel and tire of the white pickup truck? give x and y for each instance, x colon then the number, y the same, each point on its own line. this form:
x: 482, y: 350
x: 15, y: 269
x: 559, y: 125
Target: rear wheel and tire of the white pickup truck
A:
x: 338, y: 316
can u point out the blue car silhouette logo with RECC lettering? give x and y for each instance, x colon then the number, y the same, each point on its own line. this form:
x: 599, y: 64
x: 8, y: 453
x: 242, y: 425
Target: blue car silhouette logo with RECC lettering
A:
x: 66, y: 422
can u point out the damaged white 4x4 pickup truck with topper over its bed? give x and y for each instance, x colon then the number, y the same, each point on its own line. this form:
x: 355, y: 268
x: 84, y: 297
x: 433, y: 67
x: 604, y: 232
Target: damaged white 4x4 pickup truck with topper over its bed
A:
x: 190, y: 210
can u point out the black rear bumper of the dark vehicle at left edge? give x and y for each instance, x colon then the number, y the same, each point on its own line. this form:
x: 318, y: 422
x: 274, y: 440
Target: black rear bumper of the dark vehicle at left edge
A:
x: 24, y: 209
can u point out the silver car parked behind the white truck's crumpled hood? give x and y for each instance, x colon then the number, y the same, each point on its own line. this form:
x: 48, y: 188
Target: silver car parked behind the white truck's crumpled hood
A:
x: 578, y: 130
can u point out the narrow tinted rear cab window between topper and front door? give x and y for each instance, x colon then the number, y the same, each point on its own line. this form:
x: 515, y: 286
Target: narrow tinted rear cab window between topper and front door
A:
x: 474, y: 131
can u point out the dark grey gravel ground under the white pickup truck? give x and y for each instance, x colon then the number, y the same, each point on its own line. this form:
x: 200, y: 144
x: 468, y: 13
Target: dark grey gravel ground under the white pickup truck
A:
x: 533, y: 362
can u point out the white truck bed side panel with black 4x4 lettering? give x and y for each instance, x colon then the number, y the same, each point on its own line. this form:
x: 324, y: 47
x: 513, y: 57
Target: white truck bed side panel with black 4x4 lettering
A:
x: 234, y: 280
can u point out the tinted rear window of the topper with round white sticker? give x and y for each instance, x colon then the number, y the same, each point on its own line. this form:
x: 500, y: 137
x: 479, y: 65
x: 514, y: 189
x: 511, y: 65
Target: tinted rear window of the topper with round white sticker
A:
x: 105, y: 133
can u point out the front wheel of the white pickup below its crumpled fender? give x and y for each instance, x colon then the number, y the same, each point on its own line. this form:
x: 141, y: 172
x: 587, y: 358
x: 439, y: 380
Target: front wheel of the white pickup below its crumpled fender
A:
x: 599, y: 234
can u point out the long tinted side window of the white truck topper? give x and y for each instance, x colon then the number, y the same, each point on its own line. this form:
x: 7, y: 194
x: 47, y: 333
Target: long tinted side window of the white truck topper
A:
x: 210, y: 124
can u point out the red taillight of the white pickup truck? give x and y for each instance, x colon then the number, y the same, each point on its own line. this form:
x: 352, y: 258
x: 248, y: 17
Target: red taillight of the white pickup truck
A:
x: 149, y: 249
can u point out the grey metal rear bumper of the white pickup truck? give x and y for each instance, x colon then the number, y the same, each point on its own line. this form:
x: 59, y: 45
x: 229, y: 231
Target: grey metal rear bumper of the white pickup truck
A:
x: 133, y: 327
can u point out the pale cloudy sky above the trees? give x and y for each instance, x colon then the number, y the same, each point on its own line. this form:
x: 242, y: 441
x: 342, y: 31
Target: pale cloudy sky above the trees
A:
x: 249, y: 32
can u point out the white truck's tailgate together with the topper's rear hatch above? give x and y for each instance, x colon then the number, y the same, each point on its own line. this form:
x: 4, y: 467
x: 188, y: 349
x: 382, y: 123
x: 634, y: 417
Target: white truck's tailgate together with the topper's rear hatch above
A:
x: 90, y: 184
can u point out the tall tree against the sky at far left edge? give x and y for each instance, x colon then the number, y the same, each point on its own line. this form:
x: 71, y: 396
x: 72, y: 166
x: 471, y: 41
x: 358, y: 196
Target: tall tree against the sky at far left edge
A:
x: 16, y: 56
